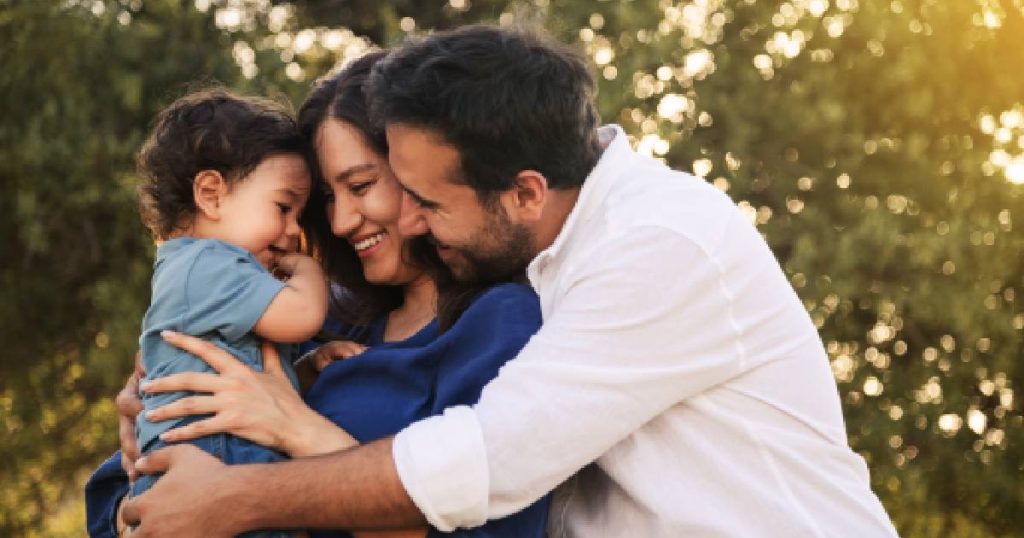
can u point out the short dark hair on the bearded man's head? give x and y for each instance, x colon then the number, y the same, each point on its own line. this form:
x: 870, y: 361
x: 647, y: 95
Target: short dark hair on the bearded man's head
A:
x: 507, y: 100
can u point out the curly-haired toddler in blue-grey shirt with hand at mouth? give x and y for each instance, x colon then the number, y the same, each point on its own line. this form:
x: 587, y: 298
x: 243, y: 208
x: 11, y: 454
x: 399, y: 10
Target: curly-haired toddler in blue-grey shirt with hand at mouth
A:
x: 227, y: 179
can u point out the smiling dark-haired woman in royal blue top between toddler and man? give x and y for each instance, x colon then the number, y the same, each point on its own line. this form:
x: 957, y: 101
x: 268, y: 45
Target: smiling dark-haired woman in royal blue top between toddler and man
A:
x: 416, y: 342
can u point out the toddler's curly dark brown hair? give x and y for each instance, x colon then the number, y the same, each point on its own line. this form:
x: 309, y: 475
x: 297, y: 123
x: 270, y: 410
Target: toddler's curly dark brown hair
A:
x: 210, y: 130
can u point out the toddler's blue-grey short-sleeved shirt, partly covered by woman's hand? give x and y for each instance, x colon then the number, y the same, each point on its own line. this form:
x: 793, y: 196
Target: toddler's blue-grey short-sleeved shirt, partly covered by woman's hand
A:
x: 210, y: 289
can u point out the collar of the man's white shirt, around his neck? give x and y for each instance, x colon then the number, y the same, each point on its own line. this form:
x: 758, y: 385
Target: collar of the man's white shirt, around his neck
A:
x: 595, y: 189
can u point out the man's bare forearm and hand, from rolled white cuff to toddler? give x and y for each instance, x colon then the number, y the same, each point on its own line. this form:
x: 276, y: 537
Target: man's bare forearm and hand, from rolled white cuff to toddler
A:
x: 200, y: 496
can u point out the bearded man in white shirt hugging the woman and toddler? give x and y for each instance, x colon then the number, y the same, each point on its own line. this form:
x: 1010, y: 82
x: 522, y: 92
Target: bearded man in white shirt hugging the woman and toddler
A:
x: 676, y: 389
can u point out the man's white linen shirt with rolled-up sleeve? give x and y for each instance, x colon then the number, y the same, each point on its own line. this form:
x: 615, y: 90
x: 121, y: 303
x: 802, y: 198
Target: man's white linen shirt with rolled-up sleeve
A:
x: 677, y: 380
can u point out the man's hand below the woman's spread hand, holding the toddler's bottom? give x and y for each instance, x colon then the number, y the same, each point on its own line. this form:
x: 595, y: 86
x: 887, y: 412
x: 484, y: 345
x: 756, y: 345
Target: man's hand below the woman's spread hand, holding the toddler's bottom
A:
x: 187, y: 501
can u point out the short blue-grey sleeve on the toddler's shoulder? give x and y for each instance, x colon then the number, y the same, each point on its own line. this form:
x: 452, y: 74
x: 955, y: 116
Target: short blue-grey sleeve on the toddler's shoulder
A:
x: 227, y: 293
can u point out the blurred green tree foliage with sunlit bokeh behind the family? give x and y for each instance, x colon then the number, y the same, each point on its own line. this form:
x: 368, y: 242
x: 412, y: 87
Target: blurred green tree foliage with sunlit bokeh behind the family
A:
x: 876, y: 144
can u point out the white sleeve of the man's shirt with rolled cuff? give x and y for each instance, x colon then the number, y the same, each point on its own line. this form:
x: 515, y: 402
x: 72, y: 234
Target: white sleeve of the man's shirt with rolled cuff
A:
x: 642, y: 326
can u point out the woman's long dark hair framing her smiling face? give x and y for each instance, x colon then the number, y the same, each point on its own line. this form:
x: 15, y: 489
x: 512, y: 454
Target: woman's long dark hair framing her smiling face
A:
x: 342, y: 97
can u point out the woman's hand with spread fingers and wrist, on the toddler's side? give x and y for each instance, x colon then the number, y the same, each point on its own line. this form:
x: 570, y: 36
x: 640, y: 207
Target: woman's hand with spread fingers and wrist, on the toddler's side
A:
x: 262, y: 407
